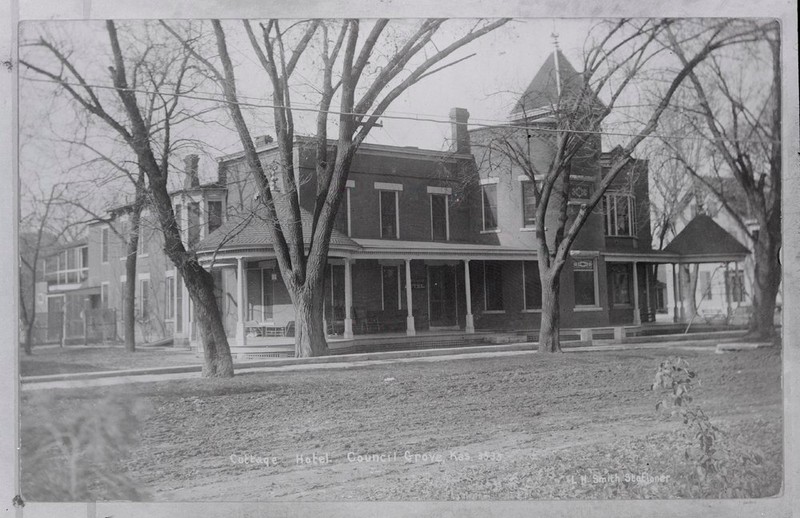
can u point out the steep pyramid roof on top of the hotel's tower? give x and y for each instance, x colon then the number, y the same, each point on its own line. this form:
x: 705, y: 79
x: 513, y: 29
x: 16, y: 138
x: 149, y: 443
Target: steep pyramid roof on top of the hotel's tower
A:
x: 542, y: 92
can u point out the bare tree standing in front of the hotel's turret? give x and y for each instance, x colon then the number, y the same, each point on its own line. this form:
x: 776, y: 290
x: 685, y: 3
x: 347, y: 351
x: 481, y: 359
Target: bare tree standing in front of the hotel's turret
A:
x: 568, y: 133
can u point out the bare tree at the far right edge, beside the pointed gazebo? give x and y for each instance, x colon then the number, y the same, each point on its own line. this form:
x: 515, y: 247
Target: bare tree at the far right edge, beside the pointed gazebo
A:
x: 739, y: 113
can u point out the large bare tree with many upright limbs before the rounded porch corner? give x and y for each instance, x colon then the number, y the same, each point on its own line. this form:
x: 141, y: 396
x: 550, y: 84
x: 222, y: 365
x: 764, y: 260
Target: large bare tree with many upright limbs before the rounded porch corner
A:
x: 364, y: 91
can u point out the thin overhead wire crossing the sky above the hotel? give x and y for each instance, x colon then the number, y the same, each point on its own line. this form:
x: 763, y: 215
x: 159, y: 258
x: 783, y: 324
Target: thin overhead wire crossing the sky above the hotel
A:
x: 485, y: 123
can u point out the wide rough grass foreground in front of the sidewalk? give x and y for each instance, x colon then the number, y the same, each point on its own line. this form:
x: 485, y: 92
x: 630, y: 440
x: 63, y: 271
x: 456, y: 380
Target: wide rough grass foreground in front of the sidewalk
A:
x: 531, y: 426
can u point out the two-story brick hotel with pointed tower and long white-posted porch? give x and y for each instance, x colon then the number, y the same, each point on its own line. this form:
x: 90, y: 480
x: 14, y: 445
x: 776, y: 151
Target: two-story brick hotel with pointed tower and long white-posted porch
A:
x: 424, y: 240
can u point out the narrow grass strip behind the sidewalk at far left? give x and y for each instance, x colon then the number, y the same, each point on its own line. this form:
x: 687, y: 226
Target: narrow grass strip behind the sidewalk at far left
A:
x: 56, y: 360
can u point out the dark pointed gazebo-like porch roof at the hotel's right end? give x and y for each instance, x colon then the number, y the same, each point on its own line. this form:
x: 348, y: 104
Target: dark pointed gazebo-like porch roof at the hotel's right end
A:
x: 703, y: 236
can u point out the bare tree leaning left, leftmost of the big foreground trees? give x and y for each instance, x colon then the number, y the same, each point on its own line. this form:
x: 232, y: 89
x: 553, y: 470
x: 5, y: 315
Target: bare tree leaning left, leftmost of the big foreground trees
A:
x: 148, y: 89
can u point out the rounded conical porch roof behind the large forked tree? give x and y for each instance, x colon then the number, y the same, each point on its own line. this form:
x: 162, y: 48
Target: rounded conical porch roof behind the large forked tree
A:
x: 252, y: 231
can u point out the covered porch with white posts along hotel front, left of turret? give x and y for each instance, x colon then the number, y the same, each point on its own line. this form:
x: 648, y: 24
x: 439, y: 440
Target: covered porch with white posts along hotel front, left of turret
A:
x: 377, y: 288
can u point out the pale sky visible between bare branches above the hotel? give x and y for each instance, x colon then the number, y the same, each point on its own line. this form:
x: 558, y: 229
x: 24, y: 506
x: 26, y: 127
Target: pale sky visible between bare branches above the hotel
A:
x: 497, y: 68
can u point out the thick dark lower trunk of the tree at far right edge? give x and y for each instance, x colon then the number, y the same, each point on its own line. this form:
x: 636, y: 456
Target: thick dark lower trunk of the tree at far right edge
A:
x: 766, y: 283
